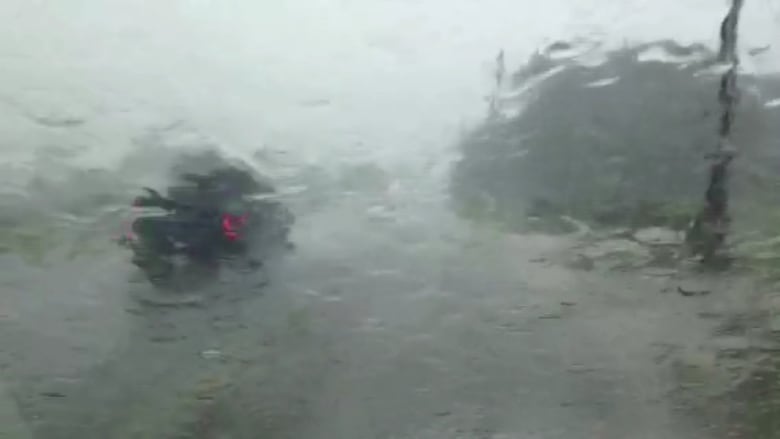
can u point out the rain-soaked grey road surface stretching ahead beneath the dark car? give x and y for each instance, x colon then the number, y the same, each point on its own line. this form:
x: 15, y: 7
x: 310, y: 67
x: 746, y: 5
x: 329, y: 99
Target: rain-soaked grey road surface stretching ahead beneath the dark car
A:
x: 391, y: 322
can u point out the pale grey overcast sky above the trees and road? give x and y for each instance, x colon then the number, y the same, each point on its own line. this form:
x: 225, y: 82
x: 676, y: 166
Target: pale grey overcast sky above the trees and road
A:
x: 315, y: 77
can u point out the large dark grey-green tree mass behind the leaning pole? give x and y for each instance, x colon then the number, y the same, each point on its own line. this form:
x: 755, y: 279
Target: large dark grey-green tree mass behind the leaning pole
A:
x: 622, y: 142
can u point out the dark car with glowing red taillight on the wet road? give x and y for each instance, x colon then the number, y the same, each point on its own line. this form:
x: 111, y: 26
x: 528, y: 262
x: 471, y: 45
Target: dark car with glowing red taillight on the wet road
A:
x: 205, y: 219
